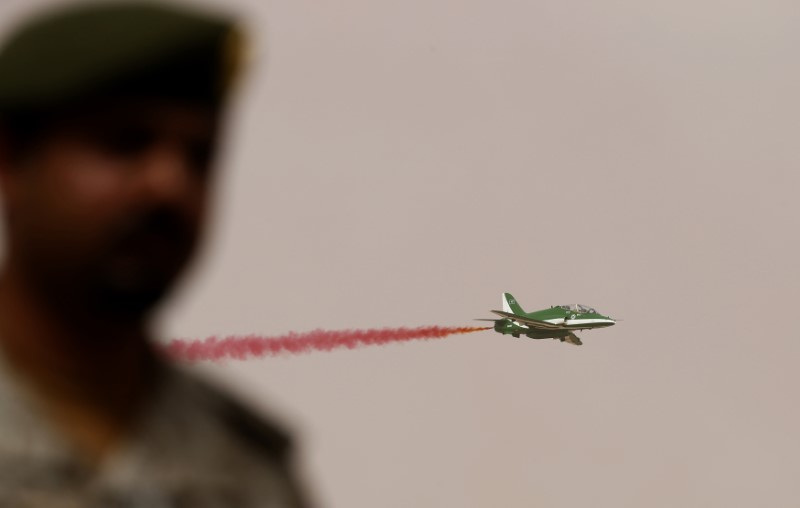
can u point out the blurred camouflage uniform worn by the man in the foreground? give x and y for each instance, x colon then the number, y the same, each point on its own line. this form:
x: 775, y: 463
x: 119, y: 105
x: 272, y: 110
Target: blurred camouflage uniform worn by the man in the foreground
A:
x: 192, y: 448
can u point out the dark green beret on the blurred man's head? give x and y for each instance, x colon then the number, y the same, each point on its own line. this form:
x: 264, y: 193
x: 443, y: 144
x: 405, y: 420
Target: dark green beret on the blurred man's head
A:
x: 134, y: 47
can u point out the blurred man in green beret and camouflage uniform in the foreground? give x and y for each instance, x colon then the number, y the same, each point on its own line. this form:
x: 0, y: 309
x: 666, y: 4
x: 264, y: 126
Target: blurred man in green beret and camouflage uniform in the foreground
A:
x: 109, y: 119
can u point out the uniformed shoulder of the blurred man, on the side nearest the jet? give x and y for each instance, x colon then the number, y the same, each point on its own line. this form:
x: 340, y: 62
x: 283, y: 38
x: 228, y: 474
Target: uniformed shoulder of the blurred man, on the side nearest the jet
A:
x: 196, y: 439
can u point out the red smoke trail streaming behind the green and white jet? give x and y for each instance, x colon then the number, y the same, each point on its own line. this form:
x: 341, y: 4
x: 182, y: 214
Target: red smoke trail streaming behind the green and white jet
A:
x: 246, y: 346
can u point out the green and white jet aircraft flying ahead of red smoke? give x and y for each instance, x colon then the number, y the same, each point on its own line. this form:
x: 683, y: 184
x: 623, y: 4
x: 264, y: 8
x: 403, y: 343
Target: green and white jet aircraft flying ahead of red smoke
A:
x: 557, y: 322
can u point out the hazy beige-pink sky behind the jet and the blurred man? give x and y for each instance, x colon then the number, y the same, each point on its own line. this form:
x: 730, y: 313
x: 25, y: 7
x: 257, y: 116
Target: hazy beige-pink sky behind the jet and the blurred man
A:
x: 403, y: 163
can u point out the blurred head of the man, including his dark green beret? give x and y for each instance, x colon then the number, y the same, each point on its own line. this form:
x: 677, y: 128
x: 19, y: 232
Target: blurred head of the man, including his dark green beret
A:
x: 105, y: 172
